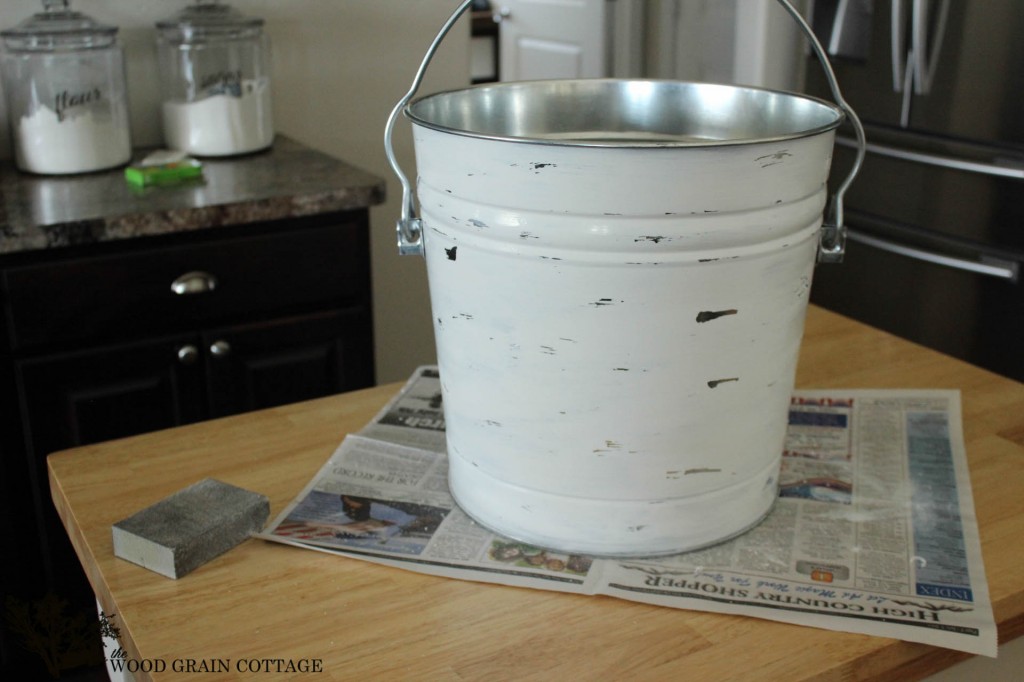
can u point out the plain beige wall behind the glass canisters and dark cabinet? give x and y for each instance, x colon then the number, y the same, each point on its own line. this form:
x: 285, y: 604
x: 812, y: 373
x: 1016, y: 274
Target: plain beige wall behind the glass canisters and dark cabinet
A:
x: 339, y: 67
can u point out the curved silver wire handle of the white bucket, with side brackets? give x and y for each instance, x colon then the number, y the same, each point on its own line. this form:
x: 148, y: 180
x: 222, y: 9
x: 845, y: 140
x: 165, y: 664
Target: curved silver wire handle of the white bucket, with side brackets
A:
x: 833, y: 242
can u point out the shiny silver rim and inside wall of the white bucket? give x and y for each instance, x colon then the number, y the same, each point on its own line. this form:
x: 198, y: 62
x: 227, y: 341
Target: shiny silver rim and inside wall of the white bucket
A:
x: 439, y: 112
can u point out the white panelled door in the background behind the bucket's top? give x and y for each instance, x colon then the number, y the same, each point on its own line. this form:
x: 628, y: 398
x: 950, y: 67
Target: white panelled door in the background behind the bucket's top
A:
x: 552, y: 39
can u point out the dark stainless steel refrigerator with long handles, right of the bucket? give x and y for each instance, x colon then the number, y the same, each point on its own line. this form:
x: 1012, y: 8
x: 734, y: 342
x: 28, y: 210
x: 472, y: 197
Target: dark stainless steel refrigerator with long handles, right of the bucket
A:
x: 936, y: 218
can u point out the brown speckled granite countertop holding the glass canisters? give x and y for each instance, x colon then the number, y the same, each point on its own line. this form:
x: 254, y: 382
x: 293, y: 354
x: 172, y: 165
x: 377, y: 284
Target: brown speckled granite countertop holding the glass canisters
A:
x: 288, y: 181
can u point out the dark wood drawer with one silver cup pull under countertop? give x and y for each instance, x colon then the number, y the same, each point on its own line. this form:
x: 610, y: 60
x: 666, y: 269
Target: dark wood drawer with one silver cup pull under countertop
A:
x: 132, y: 292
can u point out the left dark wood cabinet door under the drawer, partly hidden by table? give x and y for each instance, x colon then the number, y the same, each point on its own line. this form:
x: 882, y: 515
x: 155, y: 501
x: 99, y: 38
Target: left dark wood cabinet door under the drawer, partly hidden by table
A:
x: 89, y: 397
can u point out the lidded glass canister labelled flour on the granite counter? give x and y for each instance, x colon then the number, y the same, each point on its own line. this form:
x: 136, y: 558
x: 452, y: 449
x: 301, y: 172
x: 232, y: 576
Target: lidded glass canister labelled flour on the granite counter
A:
x: 65, y: 86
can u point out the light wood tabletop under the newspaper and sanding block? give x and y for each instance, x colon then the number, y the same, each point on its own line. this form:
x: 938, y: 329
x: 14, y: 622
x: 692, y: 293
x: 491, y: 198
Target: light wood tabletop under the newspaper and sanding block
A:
x: 353, y: 620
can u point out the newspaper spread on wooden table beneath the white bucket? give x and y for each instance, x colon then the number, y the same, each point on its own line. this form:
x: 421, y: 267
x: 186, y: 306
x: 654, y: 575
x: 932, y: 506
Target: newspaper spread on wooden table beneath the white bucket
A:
x: 874, y: 532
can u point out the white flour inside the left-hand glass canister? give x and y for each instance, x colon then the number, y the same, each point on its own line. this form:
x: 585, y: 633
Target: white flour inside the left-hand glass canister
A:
x: 45, y: 144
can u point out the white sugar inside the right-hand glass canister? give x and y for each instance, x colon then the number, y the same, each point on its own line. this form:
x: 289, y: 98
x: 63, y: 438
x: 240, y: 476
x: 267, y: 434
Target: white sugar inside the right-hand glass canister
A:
x: 223, y: 124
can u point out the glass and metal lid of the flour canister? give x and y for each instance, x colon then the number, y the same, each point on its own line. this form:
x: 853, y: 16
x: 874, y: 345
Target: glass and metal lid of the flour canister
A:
x: 59, y: 28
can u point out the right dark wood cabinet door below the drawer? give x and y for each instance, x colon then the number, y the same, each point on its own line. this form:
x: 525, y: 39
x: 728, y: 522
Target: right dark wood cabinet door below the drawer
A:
x: 288, y: 360
